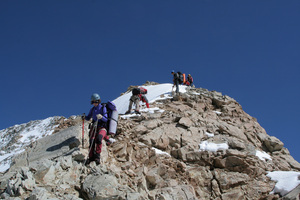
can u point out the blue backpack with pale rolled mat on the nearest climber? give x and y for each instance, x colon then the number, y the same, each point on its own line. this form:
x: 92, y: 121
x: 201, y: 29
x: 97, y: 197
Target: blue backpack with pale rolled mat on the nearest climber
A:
x: 112, y: 115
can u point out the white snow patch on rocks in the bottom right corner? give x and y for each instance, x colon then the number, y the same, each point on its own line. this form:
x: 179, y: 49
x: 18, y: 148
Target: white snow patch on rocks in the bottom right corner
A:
x: 286, y: 181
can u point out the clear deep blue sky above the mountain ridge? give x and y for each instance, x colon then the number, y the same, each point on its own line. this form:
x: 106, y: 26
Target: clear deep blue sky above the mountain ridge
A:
x: 55, y: 54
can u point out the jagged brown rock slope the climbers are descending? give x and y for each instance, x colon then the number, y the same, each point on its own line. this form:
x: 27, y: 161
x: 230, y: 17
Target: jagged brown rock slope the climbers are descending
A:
x: 157, y: 156
